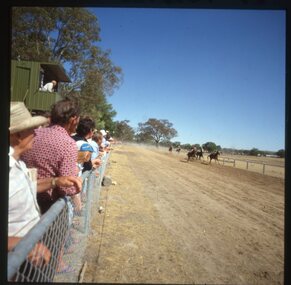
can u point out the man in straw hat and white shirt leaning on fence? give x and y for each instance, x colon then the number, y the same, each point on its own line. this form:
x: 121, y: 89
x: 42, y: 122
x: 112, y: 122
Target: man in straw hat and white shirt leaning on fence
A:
x: 23, y: 213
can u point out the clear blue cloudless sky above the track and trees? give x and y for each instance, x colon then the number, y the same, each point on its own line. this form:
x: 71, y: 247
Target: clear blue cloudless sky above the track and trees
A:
x: 217, y: 75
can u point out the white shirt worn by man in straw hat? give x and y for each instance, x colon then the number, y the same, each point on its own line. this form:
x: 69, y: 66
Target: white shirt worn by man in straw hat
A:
x: 23, y: 211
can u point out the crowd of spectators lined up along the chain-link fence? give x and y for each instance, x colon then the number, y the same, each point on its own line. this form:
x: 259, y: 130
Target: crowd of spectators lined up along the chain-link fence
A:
x: 47, y: 158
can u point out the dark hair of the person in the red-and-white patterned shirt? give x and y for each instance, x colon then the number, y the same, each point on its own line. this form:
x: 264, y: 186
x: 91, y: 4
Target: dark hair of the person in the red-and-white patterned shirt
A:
x: 63, y: 110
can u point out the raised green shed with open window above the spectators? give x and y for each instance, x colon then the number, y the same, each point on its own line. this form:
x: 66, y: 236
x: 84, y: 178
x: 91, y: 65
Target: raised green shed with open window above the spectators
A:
x: 27, y: 80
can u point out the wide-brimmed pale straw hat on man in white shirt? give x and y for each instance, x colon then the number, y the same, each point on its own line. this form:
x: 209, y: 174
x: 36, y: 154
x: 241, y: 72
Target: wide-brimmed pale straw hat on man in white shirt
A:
x: 21, y: 119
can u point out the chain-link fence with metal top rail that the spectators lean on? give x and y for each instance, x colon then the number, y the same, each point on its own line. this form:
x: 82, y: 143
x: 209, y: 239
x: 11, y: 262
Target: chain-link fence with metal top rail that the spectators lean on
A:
x: 53, y: 250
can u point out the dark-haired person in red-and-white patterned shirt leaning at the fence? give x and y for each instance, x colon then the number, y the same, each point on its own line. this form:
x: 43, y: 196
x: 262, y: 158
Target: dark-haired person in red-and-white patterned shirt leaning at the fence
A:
x: 54, y: 152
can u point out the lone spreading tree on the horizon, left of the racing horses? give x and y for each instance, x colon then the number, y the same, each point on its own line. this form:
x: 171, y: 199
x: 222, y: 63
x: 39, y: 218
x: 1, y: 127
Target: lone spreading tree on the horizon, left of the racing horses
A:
x: 157, y: 130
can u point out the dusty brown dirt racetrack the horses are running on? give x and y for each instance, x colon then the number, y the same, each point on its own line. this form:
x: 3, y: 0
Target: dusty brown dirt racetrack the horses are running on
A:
x: 168, y: 221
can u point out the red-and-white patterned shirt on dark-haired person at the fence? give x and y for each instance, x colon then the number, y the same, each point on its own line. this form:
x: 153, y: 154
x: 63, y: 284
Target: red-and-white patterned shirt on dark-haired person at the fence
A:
x: 54, y: 153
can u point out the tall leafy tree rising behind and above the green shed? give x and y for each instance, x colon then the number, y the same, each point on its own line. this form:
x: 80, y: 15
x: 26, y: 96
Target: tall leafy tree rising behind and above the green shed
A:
x: 69, y: 36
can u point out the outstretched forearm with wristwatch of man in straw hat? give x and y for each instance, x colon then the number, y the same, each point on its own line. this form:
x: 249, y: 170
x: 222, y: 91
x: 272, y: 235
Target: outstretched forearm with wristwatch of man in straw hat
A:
x: 63, y: 181
